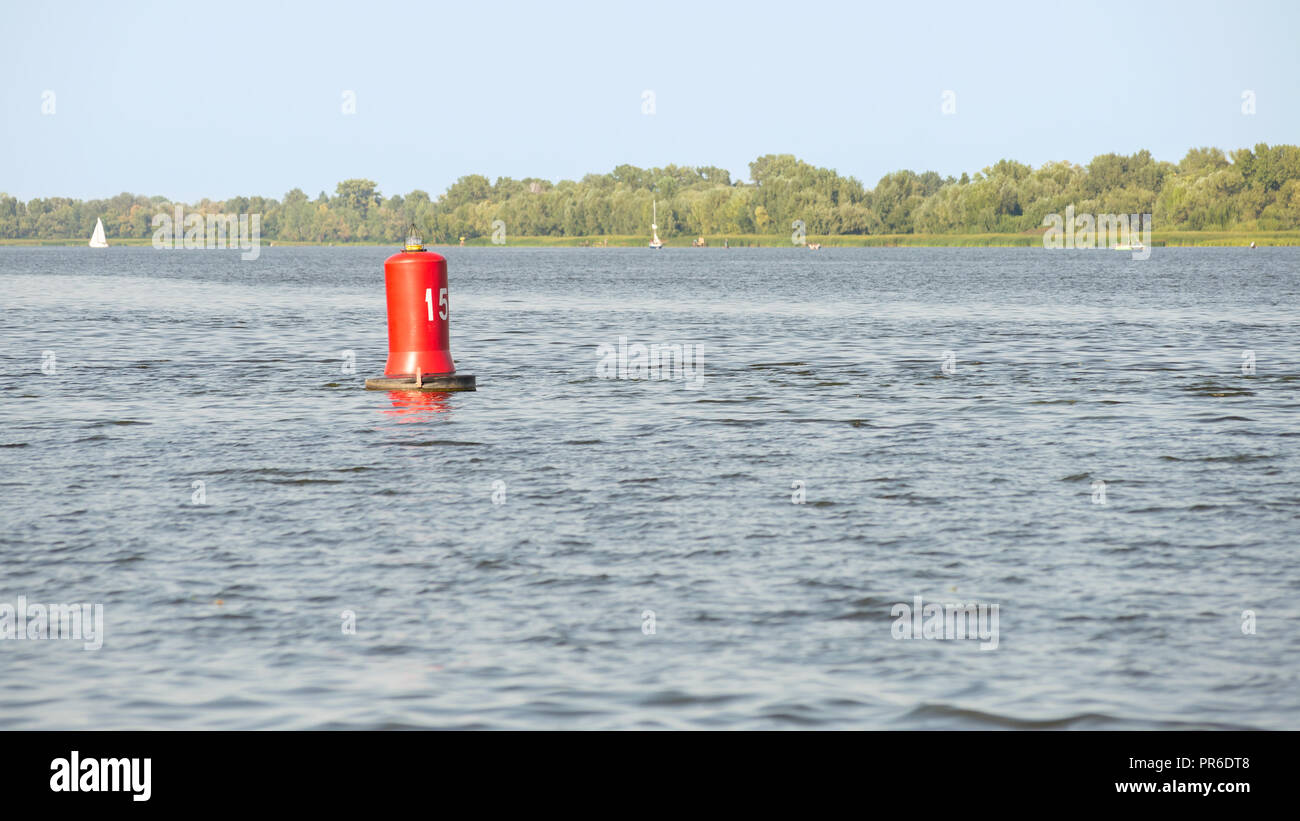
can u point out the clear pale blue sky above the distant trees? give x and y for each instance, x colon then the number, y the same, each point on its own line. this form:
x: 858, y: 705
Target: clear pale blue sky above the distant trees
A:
x: 192, y: 99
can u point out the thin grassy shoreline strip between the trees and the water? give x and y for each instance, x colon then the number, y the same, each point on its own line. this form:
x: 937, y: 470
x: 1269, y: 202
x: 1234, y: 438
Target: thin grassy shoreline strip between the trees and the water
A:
x: 1171, y: 240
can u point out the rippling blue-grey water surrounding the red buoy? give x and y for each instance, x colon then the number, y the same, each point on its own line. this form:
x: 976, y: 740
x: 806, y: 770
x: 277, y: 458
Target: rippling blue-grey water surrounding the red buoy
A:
x: 1094, y: 462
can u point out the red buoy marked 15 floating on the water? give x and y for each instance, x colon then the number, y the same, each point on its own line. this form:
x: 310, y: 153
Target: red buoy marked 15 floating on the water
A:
x: 419, y: 312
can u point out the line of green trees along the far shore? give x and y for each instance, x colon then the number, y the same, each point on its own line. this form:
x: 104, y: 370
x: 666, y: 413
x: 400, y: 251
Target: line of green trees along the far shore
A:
x: 1208, y: 190
